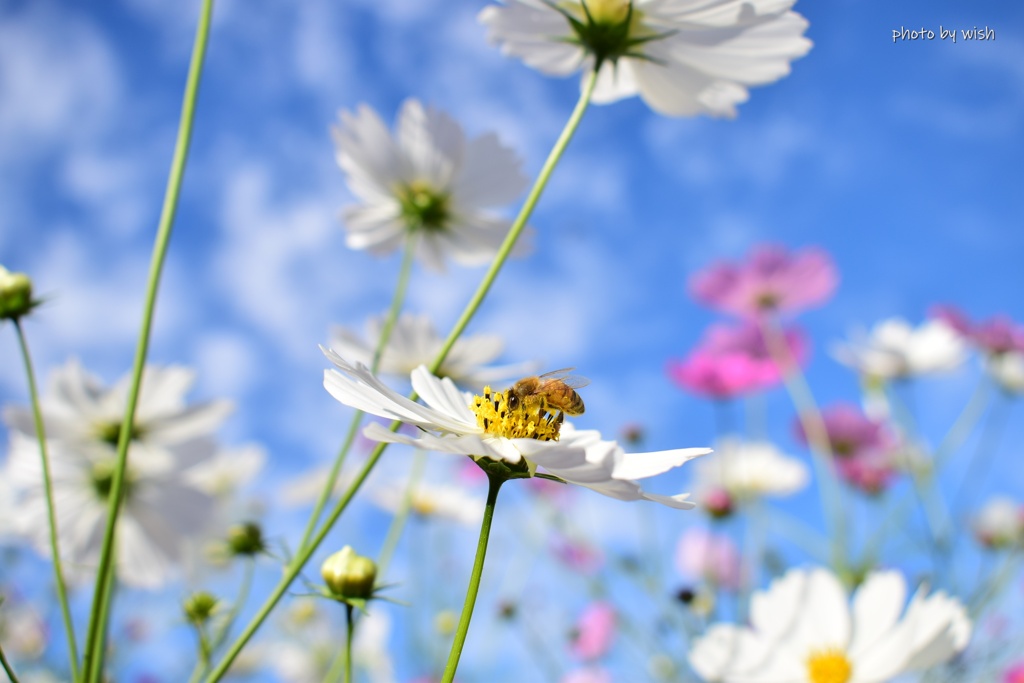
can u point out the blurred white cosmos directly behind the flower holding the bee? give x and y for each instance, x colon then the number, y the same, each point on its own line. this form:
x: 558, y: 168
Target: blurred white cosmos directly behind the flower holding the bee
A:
x: 414, y: 343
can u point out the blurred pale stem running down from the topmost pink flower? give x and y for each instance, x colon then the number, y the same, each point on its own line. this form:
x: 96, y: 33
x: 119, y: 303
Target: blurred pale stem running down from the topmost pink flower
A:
x: 818, y: 438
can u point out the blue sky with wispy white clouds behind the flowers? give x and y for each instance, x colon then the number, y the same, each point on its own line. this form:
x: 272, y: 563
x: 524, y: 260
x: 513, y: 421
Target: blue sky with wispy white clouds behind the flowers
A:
x: 904, y: 160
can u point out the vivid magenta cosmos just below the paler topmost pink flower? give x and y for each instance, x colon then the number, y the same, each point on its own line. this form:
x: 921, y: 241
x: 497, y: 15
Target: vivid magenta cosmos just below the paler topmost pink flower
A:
x: 734, y: 361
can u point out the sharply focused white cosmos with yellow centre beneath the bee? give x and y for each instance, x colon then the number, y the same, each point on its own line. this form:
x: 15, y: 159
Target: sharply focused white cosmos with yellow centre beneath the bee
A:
x: 488, y: 428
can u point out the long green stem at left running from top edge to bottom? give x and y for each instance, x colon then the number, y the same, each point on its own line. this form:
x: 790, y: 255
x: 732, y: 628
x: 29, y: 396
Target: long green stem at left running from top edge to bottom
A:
x: 96, y: 634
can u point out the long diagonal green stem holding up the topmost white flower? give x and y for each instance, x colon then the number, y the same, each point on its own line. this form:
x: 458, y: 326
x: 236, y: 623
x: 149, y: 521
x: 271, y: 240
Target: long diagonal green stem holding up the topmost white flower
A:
x: 521, y: 222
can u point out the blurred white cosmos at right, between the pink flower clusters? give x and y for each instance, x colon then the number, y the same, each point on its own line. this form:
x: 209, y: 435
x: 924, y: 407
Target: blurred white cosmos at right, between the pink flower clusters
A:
x: 894, y: 350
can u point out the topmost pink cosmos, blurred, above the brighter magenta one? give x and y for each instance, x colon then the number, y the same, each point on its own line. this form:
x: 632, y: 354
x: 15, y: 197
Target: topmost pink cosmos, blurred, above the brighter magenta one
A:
x: 772, y: 281
